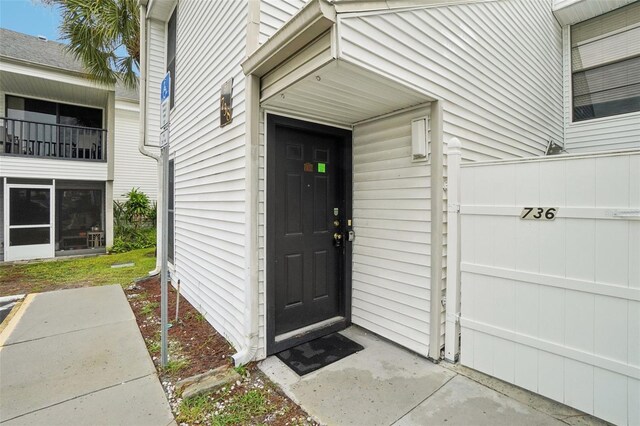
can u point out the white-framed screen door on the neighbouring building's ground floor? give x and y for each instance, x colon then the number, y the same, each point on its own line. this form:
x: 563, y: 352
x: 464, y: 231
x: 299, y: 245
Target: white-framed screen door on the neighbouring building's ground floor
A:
x: 28, y: 218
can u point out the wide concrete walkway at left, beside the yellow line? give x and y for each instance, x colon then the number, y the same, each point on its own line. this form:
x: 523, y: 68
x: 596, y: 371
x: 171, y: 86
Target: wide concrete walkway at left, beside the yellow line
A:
x: 76, y: 357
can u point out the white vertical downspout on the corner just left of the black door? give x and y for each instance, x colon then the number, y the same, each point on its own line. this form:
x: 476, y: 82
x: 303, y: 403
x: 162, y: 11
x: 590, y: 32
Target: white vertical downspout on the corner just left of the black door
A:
x: 252, y: 102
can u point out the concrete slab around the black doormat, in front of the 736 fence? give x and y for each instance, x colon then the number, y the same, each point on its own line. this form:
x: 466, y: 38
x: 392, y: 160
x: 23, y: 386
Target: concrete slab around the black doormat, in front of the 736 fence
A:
x: 387, y: 385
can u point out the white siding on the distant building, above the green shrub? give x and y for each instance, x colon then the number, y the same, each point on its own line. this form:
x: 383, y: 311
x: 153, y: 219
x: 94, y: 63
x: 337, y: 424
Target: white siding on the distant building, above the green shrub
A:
x: 131, y: 168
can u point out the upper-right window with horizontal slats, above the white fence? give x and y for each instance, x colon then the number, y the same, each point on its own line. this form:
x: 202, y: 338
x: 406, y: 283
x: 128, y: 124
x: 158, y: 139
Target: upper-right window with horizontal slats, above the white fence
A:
x: 605, y: 64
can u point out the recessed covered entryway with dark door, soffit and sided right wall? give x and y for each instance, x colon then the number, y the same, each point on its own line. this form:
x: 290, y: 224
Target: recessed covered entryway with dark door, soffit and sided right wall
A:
x: 387, y: 281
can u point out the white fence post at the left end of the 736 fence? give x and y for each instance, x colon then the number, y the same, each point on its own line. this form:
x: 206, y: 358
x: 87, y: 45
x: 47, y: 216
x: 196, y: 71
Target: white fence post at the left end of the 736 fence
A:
x: 452, y: 326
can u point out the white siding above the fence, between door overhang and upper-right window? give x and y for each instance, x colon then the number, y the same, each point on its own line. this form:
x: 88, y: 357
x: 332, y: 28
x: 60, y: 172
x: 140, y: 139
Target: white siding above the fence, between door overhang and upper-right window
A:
x: 497, y: 66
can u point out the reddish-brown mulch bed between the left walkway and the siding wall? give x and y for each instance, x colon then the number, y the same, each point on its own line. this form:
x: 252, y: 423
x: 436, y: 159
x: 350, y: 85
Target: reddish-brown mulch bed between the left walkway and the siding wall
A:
x: 196, y: 345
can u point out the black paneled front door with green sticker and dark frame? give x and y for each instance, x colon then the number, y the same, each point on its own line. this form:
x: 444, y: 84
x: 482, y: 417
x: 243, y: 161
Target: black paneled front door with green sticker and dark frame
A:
x: 306, y: 224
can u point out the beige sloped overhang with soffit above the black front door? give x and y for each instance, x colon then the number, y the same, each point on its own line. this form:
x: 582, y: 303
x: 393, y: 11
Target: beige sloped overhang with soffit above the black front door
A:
x: 301, y: 72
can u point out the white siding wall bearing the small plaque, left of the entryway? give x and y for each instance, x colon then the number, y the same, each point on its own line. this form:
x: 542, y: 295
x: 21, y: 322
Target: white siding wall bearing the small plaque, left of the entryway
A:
x: 209, y: 164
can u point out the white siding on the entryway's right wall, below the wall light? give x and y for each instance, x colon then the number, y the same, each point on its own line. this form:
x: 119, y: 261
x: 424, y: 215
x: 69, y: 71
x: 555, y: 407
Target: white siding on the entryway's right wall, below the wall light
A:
x: 391, y: 220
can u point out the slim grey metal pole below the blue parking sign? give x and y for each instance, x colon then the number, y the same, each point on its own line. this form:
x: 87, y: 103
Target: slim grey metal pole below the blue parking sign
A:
x: 165, y: 259
